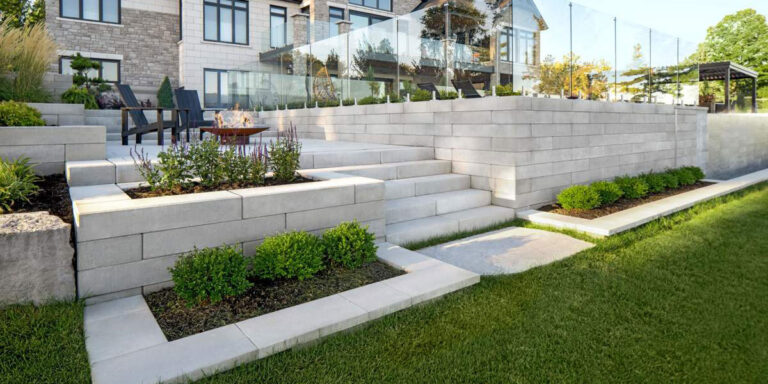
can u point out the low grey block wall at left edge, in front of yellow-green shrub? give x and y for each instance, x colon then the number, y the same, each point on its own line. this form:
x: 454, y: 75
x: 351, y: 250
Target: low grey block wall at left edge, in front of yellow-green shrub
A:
x: 50, y: 147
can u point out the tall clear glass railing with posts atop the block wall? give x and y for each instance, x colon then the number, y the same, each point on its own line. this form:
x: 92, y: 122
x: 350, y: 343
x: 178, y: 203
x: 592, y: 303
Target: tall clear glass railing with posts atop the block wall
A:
x: 545, y: 48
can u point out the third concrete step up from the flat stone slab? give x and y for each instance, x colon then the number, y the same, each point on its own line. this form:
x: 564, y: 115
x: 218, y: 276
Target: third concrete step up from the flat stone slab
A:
x: 417, y: 186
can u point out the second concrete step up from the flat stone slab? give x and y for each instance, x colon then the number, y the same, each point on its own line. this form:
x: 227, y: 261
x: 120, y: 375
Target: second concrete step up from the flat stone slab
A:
x: 417, y: 207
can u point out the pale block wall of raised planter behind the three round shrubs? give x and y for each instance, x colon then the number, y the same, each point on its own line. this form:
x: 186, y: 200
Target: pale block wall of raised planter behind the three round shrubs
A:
x: 126, y: 246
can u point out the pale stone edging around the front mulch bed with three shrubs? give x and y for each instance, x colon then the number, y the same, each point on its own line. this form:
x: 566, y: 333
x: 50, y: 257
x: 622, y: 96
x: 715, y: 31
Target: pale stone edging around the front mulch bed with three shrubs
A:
x: 125, y: 344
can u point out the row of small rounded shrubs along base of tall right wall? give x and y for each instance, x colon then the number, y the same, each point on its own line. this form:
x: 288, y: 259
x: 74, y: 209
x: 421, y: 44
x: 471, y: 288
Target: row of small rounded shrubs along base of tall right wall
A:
x: 604, y: 193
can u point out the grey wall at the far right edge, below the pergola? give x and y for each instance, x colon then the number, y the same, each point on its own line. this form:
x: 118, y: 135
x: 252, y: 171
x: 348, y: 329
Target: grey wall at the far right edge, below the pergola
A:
x: 737, y: 144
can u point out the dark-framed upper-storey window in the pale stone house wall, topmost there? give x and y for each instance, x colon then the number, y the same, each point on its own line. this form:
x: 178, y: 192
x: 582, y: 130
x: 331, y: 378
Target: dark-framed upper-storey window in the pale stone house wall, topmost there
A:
x: 226, y: 21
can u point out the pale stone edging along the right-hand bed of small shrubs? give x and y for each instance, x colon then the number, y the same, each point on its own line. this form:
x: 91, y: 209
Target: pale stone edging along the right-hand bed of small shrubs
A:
x: 637, y: 216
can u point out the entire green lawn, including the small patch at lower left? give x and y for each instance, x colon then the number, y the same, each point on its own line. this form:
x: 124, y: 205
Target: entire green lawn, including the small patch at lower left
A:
x: 684, y: 299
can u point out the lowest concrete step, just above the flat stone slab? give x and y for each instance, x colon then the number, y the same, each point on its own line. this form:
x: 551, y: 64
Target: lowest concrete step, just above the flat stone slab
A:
x: 430, y: 227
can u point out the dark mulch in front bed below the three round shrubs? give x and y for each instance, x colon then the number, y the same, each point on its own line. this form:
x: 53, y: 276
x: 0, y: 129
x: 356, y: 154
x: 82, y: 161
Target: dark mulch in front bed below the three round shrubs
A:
x: 177, y: 320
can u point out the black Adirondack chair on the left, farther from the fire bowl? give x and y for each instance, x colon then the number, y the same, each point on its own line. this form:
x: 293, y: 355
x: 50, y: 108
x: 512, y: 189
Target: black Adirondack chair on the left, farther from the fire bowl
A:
x: 142, y: 125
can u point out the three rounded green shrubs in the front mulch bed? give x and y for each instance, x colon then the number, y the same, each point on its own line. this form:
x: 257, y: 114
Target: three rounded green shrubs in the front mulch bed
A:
x: 212, y: 274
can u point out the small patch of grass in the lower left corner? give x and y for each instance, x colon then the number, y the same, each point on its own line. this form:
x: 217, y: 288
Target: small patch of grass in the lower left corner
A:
x: 43, y: 344
